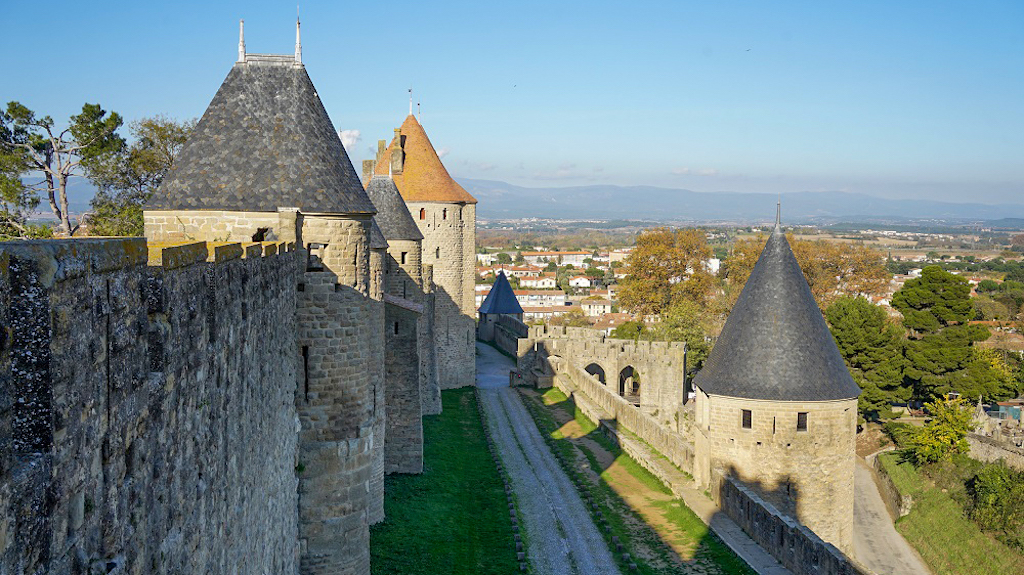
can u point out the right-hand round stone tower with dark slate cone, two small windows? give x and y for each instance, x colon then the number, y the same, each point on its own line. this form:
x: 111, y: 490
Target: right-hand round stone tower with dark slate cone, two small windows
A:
x: 777, y: 408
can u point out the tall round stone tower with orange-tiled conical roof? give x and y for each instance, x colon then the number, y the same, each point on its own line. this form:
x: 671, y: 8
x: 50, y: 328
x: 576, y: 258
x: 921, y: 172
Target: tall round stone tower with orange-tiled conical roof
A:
x: 446, y: 214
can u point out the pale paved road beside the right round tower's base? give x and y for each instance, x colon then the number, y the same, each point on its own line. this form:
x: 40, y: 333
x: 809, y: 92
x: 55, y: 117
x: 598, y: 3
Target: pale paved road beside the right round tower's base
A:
x: 876, y: 542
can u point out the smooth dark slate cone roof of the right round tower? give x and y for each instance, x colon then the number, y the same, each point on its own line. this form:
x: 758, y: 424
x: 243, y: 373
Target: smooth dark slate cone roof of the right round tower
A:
x: 776, y: 344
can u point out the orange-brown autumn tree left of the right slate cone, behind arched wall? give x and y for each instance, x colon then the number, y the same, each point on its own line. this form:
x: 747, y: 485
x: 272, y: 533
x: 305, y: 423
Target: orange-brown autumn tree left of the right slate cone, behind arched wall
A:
x: 666, y: 266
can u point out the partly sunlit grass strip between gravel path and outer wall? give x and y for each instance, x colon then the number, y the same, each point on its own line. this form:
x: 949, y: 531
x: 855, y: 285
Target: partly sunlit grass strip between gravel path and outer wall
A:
x: 679, y: 542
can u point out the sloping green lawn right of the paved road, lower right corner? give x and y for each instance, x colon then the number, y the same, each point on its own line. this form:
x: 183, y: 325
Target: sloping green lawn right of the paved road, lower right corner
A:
x: 951, y: 544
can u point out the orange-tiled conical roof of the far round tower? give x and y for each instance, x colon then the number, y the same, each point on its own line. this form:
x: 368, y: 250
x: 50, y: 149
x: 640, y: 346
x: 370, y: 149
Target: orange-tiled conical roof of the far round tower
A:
x: 423, y: 178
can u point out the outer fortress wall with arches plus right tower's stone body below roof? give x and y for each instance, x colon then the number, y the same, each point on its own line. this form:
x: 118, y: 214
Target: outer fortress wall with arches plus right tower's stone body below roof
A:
x: 779, y: 485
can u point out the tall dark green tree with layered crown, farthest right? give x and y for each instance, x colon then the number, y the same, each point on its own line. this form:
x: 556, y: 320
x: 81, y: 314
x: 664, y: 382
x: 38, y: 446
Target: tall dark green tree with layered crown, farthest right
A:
x: 941, y: 355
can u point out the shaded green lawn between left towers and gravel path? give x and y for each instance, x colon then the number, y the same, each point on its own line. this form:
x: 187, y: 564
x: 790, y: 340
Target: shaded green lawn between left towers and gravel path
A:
x: 454, y: 517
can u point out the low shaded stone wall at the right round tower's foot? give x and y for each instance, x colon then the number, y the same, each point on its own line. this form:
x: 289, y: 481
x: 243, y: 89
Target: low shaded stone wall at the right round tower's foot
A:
x: 796, y: 547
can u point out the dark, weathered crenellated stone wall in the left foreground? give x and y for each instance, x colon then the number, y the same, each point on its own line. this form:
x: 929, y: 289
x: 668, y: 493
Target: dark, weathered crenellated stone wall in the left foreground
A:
x: 150, y: 411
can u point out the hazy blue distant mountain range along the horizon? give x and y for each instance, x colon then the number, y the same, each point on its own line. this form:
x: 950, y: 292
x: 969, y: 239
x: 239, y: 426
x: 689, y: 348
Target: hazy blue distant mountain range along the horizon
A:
x: 501, y: 200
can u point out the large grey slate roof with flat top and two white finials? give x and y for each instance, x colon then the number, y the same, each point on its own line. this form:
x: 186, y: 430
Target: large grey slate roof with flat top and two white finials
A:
x: 266, y: 142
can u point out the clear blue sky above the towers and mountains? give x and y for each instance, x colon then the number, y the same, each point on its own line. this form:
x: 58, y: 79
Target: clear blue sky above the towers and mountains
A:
x: 898, y: 100
